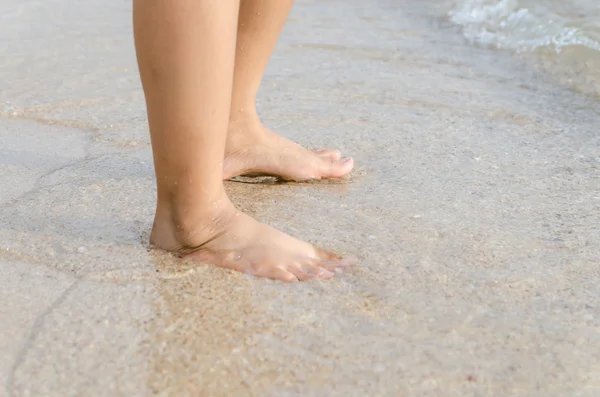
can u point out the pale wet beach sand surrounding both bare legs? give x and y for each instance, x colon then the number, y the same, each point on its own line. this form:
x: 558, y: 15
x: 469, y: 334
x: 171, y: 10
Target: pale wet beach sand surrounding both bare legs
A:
x: 474, y: 211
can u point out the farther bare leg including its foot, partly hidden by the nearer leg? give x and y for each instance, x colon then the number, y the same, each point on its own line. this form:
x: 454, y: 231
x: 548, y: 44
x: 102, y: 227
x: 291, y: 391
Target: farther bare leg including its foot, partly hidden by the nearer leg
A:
x: 252, y: 148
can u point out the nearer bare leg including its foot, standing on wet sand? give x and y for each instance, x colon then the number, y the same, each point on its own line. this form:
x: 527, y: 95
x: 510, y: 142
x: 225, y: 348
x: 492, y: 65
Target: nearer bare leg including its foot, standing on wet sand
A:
x: 185, y: 52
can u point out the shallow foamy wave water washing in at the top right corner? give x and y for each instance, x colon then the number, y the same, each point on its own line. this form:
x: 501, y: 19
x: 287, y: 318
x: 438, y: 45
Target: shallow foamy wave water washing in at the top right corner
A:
x: 559, y: 37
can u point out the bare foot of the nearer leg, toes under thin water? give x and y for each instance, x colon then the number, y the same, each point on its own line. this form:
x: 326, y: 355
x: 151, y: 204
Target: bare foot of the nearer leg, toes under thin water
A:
x: 231, y: 239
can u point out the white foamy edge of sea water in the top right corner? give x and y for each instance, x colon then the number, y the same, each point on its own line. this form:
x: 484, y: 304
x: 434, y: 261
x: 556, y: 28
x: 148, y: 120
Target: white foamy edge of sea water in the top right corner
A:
x: 570, y: 56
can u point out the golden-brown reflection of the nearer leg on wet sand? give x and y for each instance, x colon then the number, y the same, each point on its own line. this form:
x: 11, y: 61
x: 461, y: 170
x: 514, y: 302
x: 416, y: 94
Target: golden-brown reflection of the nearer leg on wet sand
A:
x: 200, y: 339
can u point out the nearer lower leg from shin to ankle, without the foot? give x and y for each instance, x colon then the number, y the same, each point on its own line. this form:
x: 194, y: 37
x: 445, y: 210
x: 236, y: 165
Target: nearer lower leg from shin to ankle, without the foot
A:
x: 187, y: 99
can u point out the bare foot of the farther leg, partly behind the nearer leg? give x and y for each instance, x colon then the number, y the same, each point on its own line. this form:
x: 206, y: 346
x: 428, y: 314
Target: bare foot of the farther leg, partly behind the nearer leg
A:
x: 253, y: 149
